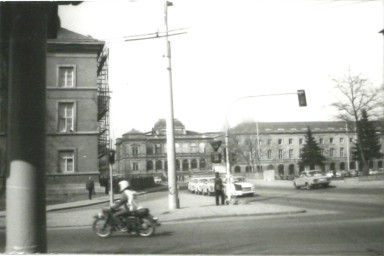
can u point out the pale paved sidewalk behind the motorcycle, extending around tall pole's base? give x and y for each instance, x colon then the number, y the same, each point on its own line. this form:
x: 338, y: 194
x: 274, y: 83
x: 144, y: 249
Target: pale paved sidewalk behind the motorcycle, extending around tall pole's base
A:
x: 192, y: 207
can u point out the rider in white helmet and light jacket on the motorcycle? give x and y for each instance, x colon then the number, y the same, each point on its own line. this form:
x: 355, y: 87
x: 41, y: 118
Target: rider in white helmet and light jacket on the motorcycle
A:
x: 128, y: 199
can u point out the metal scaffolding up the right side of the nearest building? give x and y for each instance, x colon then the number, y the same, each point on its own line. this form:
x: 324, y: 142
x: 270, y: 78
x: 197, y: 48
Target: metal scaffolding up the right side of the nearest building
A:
x: 103, y: 99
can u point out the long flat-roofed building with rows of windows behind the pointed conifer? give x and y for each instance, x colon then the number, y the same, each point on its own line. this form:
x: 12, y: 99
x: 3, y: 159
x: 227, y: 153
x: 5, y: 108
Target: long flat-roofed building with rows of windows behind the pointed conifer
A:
x: 280, y: 145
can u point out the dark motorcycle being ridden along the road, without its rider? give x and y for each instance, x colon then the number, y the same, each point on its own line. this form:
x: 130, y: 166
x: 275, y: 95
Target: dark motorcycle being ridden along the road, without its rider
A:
x: 139, y: 222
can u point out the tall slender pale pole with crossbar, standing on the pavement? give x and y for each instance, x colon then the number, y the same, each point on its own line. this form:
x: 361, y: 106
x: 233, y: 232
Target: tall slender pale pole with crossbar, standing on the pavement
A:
x: 171, y: 156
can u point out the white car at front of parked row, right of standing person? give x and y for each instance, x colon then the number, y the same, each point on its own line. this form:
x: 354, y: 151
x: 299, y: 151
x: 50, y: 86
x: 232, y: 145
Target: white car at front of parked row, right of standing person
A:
x: 238, y: 186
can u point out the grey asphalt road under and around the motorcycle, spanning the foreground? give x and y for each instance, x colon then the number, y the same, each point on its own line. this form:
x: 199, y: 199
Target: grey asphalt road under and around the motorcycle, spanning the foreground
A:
x: 337, y: 222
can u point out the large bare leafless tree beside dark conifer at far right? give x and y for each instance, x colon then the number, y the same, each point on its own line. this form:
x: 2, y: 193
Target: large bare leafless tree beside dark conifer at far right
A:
x: 356, y: 94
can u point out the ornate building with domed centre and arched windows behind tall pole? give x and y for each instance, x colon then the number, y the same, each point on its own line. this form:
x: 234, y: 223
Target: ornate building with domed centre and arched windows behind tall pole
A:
x: 146, y: 153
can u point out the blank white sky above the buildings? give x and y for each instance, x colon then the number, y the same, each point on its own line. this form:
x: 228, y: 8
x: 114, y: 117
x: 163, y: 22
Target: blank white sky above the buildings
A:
x: 232, y: 49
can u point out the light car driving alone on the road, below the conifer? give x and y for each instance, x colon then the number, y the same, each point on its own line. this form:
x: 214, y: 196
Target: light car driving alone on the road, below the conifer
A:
x: 311, y: 179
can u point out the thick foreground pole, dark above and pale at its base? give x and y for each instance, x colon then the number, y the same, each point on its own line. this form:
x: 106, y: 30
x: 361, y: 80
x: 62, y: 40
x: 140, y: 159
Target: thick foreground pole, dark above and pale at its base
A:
x: 25, y: 200
